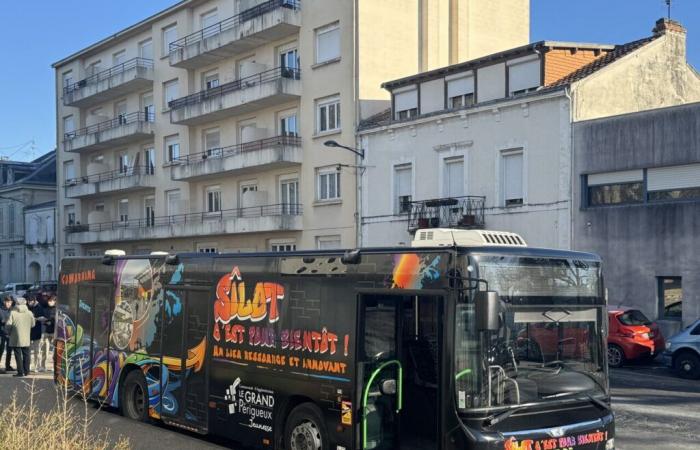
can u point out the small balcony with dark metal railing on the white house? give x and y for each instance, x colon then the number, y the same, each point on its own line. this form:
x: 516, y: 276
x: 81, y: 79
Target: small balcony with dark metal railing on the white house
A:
x: 452, y: 212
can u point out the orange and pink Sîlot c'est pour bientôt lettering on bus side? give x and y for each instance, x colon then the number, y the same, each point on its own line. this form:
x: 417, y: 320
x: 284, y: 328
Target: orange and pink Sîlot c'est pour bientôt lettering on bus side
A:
x: 247, y: 330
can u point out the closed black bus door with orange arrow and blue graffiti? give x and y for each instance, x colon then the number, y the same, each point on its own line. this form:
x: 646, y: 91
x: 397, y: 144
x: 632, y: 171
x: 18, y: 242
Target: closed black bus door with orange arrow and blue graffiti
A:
x: 184, y: 387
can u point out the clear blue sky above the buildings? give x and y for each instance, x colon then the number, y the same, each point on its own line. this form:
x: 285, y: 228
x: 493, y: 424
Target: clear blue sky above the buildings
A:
x: 33, y: 38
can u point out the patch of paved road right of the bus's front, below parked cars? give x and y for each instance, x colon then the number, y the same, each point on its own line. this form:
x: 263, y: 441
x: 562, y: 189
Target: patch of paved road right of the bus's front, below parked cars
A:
x: 654, y: 409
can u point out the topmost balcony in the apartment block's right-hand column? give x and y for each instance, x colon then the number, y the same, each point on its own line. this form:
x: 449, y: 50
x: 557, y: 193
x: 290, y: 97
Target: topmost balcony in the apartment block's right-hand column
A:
x: 268, y: 22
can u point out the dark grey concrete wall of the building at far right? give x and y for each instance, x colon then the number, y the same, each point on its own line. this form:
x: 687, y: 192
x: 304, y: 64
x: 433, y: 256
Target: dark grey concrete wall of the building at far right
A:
x: 639, y: 243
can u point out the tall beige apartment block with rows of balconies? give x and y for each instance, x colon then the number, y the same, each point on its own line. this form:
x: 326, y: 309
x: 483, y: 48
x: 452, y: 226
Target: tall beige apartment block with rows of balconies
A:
x: 202, y: 127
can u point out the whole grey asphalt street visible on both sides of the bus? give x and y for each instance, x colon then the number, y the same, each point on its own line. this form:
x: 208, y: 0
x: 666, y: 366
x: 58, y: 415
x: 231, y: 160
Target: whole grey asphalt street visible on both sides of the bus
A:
x: 654, y: 410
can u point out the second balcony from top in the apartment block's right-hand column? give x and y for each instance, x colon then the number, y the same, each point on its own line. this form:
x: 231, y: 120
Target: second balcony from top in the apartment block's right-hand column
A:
x: 268, y: 88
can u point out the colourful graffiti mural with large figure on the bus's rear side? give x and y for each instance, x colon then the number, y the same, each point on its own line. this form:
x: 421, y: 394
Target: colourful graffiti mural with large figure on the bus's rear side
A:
x: 138, y: 299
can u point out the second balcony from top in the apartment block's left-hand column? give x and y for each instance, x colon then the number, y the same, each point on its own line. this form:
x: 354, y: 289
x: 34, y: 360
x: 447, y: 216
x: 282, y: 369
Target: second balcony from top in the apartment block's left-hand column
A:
x: 124, y: 129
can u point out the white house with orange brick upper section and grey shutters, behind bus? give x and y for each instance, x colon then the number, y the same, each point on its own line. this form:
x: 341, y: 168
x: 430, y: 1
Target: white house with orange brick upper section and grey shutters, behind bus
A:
x: 487, y: 143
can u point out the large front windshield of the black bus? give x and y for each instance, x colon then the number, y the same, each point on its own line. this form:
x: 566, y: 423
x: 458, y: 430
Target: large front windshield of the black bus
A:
x: 550, y: 344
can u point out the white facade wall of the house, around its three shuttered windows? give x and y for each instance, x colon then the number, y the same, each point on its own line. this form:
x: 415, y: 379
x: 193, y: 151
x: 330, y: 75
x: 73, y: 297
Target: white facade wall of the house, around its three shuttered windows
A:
x: 537, y: 125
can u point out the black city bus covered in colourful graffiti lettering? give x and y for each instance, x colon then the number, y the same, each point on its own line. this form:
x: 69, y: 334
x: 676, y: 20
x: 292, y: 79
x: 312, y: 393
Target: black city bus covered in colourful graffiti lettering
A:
x: 468, y: 339
